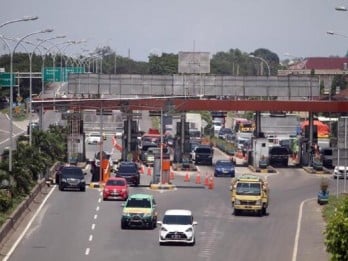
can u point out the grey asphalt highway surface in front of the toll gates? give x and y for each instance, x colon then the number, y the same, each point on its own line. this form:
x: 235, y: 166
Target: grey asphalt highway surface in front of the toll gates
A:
x: 81, y: 226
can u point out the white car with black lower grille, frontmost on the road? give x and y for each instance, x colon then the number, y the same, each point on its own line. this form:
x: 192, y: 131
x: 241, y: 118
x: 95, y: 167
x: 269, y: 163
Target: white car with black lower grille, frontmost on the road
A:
x: 177, y: 226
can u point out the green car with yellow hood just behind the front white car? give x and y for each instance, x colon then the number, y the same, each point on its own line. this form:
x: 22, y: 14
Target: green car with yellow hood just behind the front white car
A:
x: 139, y: 211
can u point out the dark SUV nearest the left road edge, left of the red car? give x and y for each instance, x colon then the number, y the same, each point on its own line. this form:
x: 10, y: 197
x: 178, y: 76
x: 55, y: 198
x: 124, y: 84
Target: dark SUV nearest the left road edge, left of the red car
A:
x: 72, y: 177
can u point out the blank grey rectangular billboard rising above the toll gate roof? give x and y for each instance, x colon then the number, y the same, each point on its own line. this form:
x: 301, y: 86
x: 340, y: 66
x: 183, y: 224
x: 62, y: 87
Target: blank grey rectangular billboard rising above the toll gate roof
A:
x: 194, y: 62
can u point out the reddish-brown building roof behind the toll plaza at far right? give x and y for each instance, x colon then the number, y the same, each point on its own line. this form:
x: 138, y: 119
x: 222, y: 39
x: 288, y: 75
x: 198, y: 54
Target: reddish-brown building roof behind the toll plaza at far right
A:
x: 321, y: 63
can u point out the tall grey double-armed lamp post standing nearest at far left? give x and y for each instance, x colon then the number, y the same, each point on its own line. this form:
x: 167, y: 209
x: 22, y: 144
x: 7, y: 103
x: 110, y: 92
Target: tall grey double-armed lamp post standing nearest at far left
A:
x: 11, y: 85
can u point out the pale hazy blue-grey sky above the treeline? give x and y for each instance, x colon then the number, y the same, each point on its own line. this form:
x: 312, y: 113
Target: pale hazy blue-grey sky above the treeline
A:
x: 138, y: 28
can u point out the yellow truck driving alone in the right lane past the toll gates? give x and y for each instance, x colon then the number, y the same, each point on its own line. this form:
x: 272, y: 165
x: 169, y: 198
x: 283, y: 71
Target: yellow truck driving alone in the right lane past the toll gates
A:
x: 249, y: 193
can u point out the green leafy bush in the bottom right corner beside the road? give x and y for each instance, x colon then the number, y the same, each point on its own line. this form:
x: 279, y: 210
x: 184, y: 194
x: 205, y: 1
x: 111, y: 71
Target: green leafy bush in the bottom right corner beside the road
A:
x: 337, y: 232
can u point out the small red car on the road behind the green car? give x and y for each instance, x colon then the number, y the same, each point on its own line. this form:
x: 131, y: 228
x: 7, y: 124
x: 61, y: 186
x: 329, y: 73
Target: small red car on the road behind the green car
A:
x: 115, y: 188
